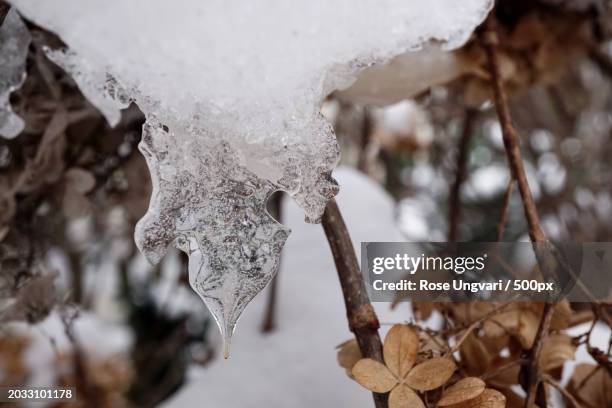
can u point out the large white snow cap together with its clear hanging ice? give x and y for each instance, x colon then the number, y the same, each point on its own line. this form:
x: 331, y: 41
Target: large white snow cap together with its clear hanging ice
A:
x: 231, y: 90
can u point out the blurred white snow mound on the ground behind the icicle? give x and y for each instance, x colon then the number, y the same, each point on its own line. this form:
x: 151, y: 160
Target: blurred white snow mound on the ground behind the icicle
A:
x: 296, y: 365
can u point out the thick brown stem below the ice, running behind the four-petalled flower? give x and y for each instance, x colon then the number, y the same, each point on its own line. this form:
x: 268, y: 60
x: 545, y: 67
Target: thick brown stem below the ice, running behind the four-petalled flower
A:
x: 362, y: 319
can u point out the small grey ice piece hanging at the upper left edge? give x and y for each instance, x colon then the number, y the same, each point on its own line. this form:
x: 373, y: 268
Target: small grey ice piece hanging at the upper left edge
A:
x: 14, y: 43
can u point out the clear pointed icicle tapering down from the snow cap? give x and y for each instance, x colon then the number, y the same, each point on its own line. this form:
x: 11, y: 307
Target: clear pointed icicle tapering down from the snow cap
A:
x: 213, y: 208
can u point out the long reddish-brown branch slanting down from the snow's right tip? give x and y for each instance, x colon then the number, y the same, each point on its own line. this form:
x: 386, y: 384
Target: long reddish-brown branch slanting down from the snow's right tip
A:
x: 511, y: 142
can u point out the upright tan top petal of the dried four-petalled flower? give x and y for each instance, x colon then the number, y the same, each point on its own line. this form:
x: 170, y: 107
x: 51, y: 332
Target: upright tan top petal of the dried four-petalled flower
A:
x: 400, y: 349
